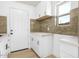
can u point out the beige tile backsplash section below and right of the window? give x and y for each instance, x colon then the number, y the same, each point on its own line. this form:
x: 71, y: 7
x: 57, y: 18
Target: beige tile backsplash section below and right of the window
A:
x: 72, y: 29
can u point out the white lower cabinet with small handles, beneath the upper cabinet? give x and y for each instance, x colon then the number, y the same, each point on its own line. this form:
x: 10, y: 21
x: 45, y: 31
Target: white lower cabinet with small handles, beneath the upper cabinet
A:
x: 42, y: 45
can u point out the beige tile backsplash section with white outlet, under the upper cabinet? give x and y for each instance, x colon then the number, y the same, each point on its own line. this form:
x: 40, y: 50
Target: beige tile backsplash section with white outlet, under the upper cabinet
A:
x: 47, y: 25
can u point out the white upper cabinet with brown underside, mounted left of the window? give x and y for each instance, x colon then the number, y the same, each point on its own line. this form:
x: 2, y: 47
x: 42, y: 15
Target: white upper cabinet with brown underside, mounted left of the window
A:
x: 43, y: 10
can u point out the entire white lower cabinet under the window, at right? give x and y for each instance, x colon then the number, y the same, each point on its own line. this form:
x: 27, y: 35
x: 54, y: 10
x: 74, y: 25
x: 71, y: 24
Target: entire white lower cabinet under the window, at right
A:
x: 65, y: 46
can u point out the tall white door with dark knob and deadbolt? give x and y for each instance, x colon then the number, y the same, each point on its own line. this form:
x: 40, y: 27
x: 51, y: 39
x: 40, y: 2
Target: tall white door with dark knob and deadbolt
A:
x: 18, y: 29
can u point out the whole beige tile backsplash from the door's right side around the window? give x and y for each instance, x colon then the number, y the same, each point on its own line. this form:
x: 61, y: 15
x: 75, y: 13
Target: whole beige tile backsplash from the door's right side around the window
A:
x: 48, y: 25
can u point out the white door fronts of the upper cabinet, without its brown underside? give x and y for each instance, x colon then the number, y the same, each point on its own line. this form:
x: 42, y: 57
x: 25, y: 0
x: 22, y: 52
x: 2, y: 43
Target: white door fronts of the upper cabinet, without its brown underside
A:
x: 43, y: 9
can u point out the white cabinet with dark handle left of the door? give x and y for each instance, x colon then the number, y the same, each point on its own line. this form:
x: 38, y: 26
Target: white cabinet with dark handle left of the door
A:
x: 3, y: 47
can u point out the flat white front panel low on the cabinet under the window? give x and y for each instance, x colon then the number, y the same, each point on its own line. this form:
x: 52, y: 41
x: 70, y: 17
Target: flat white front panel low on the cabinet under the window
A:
x: 68, y: 50
